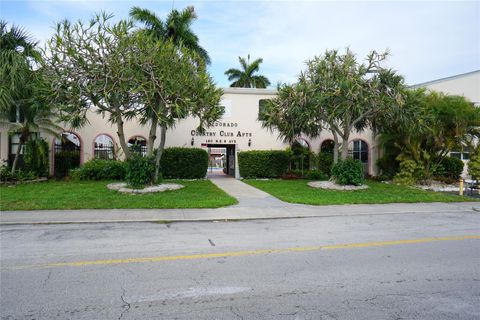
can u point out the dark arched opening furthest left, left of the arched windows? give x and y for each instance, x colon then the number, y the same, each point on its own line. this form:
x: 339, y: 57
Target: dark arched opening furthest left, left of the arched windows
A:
x: 67, y: 153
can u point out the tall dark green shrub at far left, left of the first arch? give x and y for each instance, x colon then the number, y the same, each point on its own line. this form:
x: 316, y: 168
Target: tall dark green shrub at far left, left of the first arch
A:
x: 36, y: 157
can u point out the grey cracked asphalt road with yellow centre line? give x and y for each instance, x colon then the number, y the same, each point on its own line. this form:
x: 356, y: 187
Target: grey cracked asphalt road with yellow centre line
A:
x: 395, y: 266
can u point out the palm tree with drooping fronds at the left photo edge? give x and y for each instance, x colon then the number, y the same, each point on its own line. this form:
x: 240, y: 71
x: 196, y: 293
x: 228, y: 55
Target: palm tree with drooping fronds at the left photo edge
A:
x: 20, y: 88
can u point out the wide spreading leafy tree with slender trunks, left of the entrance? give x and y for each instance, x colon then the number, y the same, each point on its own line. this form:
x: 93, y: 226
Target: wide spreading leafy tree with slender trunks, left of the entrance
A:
x: 125, y: 74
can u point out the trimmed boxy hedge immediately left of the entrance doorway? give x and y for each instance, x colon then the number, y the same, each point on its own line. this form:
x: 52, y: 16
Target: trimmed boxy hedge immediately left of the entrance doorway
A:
x: 184, y: 163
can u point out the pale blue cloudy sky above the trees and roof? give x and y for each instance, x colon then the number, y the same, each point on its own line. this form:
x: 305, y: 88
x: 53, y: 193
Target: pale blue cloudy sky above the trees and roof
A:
x: 427, y: 40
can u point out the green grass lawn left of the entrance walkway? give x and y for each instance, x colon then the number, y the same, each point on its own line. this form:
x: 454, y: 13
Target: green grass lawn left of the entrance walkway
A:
x: 95, y: 195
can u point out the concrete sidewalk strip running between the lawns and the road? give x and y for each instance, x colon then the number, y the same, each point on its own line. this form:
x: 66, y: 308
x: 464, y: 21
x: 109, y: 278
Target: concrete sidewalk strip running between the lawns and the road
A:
x: 229, y: 213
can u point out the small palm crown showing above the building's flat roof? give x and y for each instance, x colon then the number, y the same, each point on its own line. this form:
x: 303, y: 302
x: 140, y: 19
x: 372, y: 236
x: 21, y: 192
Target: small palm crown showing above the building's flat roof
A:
x: 245, y: 78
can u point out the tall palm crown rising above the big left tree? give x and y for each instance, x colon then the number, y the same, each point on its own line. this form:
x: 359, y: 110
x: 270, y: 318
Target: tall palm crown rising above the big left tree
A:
x: 177, y: 28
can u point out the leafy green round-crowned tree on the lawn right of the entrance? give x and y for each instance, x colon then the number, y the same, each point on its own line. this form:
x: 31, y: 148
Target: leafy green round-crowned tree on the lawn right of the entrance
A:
x: 348, y: 95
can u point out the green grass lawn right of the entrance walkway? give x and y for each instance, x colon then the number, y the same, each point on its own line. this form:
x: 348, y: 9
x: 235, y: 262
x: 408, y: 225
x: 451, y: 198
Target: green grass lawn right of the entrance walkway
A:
x: 297, y: 191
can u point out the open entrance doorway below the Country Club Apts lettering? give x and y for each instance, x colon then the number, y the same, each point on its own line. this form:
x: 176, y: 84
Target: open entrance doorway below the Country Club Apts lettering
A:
x: 221, y: 159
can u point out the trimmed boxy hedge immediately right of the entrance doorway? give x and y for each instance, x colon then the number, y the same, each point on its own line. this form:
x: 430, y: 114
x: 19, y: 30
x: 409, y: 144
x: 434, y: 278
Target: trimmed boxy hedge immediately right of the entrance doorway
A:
x: 263, y: 164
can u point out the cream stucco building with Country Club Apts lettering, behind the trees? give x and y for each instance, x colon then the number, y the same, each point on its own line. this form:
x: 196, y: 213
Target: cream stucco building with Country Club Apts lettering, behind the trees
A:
x: 238, y: 130
